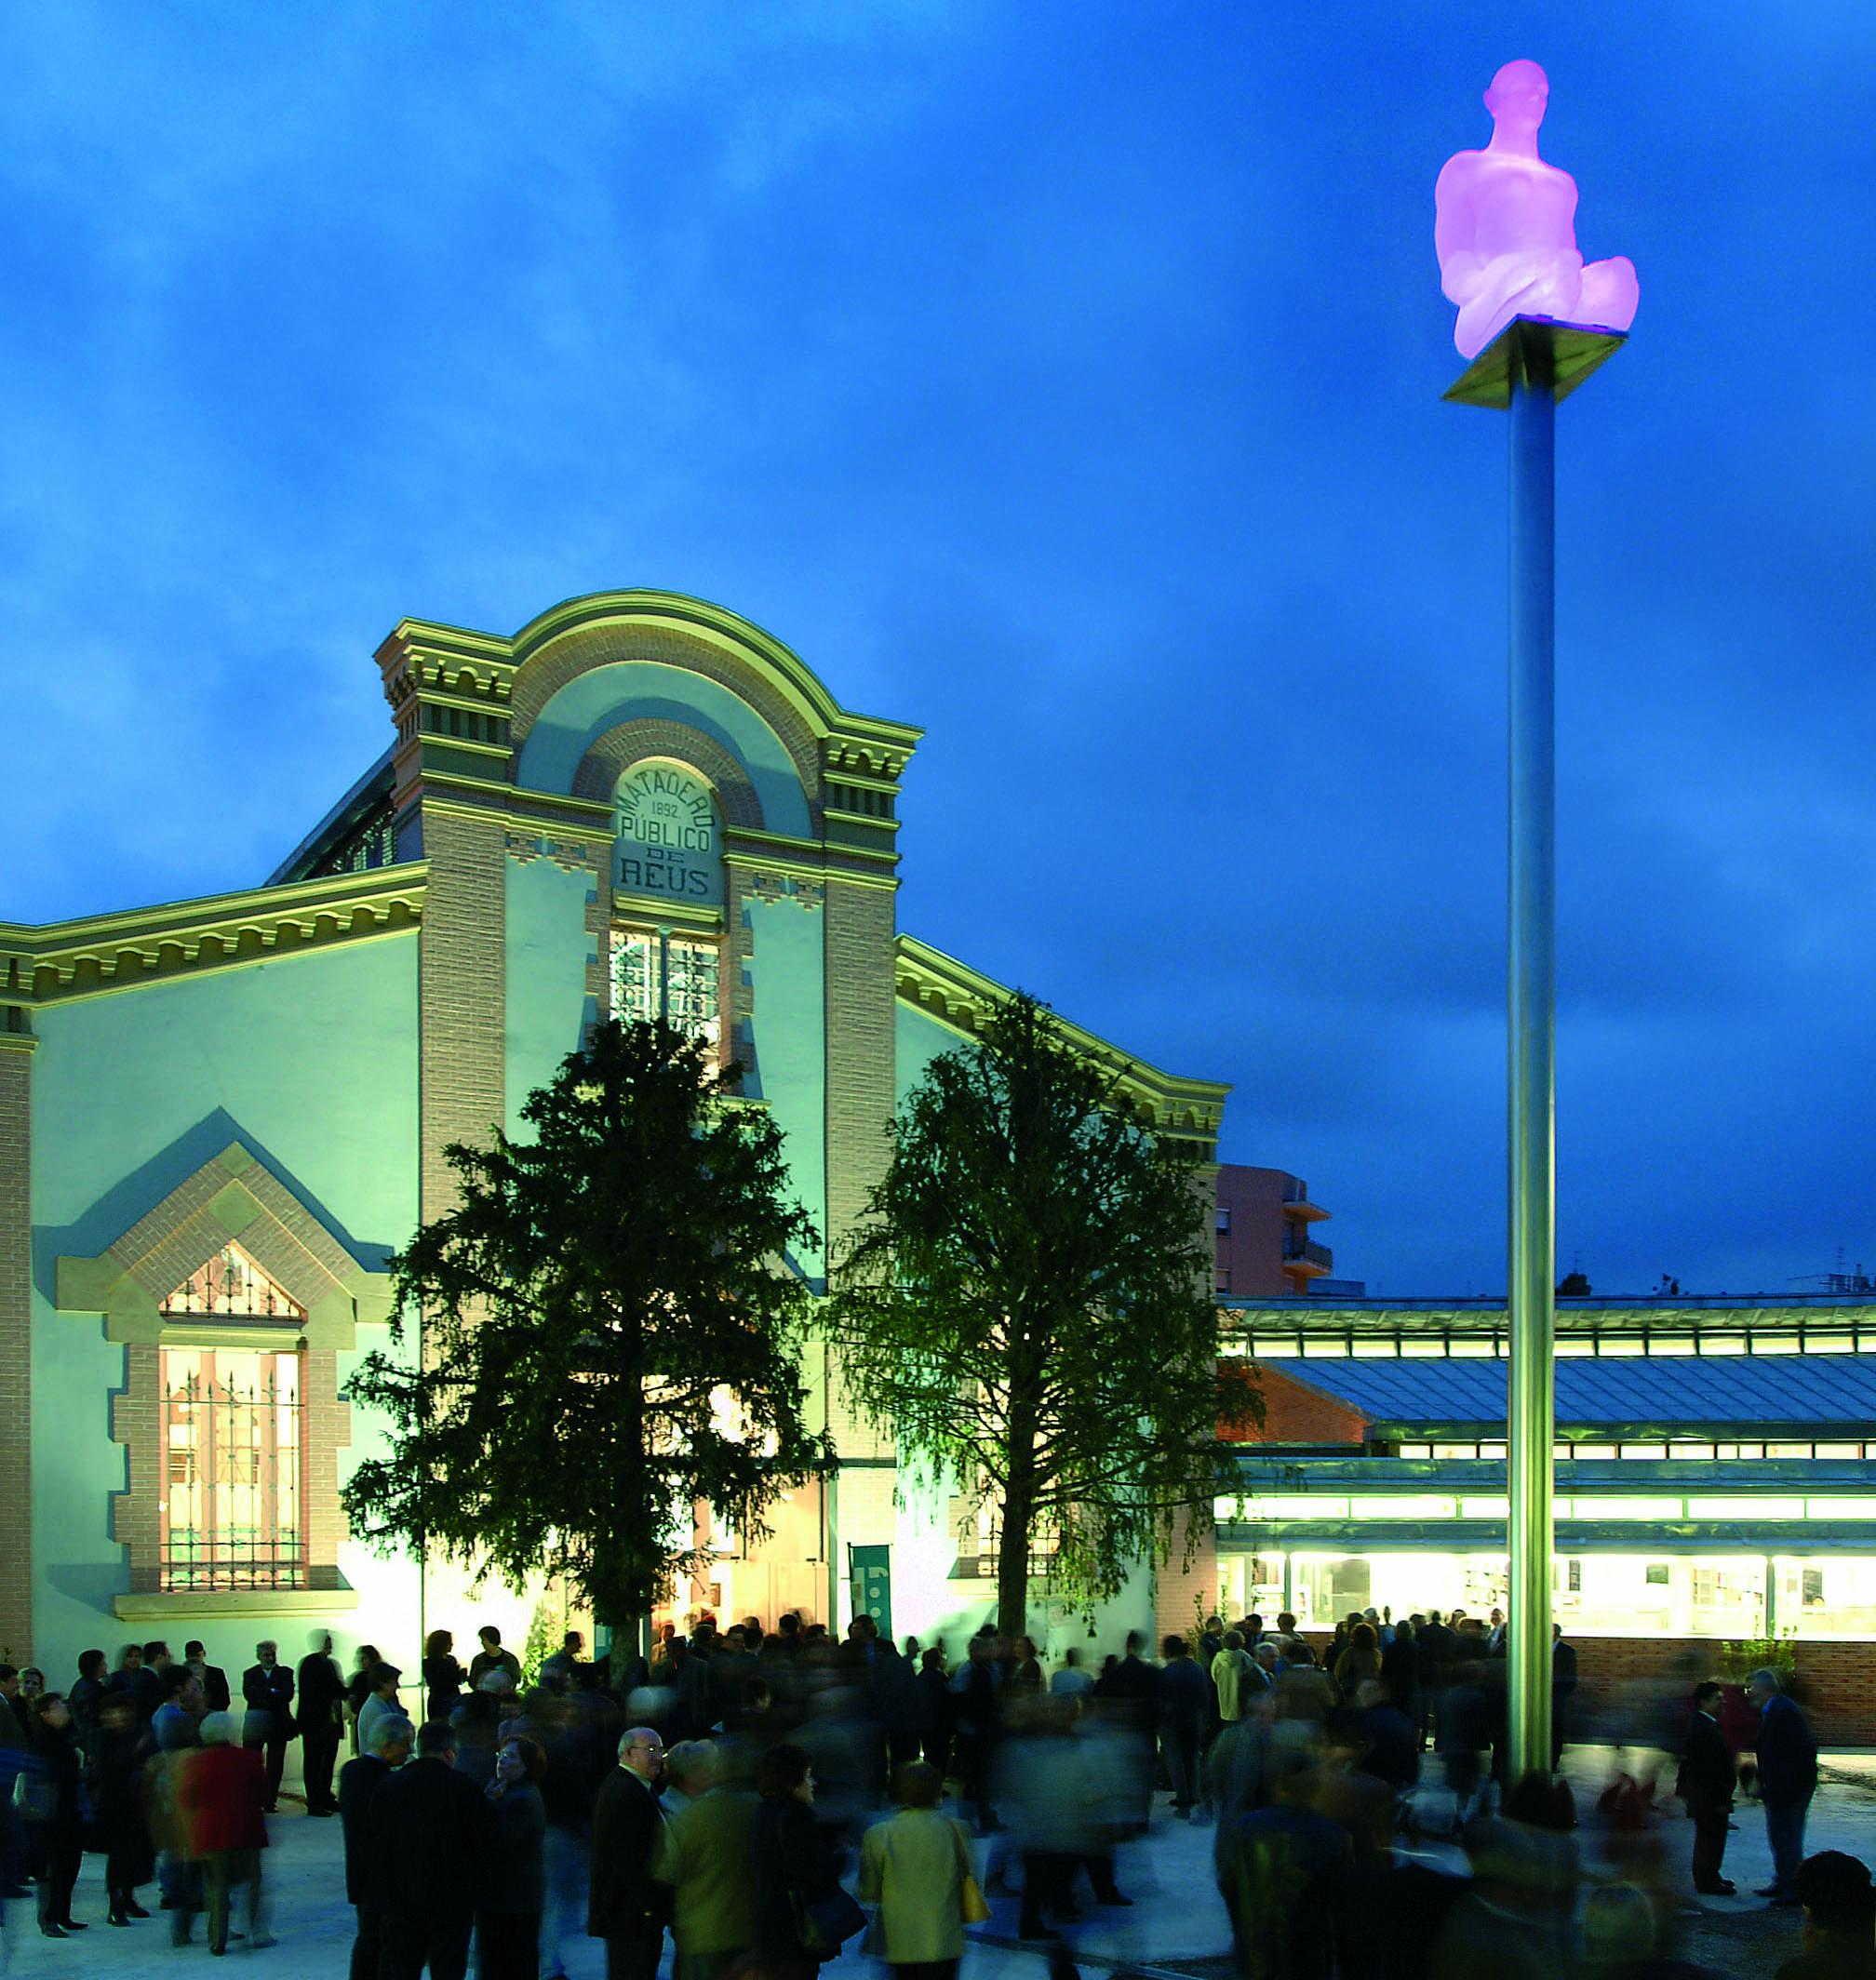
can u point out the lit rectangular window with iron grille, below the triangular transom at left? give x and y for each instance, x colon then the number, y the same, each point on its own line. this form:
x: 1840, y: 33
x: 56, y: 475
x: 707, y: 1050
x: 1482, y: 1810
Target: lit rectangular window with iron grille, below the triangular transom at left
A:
x: 231, y: 1470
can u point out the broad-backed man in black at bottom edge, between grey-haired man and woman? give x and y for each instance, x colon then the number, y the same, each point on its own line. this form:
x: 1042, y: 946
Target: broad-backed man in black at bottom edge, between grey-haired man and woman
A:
x: 433, y: 1836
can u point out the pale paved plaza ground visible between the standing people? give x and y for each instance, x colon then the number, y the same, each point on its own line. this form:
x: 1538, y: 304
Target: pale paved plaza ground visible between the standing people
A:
x: 1176, y: 1924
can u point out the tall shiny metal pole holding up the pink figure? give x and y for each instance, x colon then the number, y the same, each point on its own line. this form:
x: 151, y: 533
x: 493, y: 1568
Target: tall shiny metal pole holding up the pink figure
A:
x: 1532, y: 1044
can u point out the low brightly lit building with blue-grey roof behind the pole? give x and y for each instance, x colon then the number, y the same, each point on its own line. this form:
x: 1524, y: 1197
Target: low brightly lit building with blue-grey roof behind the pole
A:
x: 1717, y: 1470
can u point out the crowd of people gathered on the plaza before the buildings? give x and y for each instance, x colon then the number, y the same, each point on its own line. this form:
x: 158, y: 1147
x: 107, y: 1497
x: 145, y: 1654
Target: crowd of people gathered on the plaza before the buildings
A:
x: 726, y: 1791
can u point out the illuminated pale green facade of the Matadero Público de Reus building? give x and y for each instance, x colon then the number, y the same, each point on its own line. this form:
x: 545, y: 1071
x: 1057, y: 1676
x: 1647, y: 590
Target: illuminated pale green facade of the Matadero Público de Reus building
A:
x: 219, y: 1118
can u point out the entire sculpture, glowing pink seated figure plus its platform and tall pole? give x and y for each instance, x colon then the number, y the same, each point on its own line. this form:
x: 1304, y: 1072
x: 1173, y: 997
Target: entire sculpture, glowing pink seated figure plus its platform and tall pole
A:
x: 1534, y: 322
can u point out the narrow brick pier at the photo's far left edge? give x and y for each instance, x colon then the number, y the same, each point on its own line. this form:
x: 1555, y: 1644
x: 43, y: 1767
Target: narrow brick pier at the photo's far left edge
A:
x: 17, y: 1339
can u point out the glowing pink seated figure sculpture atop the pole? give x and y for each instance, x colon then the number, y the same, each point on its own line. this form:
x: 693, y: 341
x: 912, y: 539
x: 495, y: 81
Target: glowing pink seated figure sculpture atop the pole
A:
x: 1507, y: 229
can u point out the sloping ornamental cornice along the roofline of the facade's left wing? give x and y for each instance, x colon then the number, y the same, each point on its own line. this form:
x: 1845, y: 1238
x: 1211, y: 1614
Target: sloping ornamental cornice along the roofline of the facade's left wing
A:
x: 72, y: 959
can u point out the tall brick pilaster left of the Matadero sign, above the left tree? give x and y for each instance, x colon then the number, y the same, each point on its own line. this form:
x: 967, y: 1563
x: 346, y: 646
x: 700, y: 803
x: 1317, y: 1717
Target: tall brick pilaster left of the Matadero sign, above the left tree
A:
x: 463, y: 995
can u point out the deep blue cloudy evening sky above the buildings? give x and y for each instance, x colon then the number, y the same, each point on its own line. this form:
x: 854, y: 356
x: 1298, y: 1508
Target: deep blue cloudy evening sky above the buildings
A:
x: 1065, y: 379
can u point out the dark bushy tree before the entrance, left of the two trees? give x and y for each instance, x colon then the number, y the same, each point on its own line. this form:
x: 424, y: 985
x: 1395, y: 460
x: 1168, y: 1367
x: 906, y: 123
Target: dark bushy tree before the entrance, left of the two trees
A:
x: 607, y: 1332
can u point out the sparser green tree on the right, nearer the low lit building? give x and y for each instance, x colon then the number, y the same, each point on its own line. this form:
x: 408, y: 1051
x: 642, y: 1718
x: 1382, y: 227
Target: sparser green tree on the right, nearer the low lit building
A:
x: 1029, y: 1304
